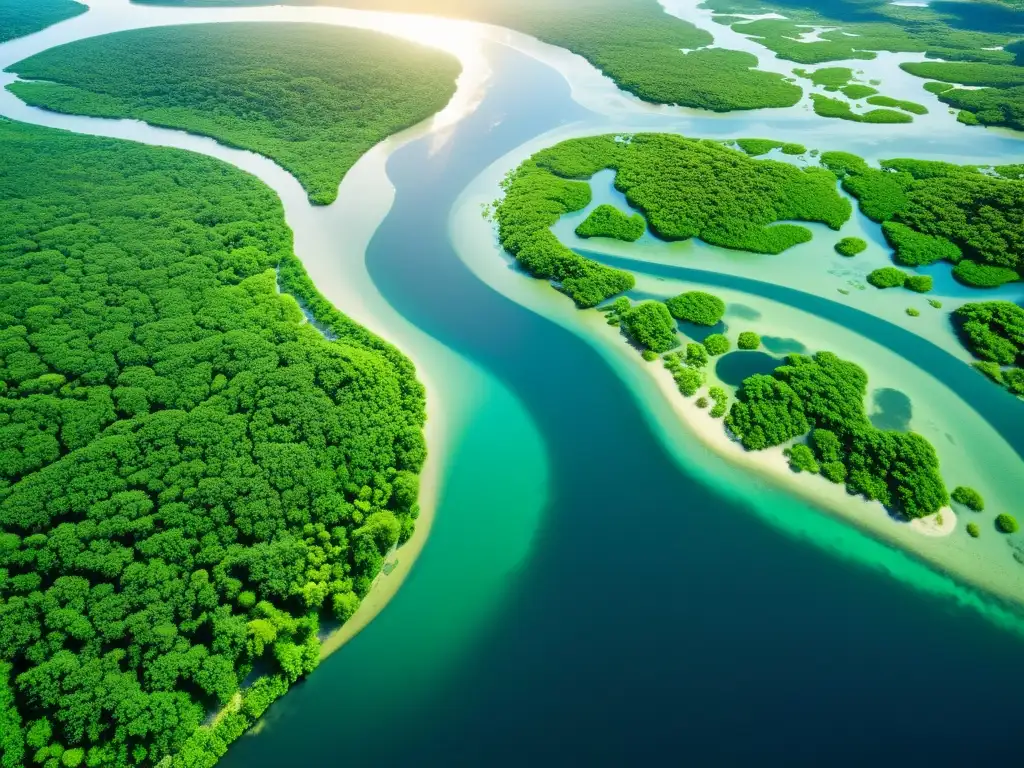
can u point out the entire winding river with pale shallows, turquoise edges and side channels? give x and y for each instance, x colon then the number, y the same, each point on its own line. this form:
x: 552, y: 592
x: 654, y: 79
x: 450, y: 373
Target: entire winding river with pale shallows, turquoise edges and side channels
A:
x: 599, y: 587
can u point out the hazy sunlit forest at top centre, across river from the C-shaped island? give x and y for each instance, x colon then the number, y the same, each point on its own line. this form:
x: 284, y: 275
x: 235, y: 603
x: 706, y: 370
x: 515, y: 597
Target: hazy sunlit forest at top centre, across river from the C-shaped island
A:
x: 647, y: 52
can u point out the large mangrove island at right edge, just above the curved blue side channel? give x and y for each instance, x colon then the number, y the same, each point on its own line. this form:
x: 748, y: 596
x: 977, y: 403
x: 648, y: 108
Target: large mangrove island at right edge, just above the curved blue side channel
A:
x: 959, y: 210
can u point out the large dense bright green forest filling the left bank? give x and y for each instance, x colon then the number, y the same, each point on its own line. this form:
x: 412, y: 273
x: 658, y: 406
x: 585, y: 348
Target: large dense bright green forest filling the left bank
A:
x: 192, y: 475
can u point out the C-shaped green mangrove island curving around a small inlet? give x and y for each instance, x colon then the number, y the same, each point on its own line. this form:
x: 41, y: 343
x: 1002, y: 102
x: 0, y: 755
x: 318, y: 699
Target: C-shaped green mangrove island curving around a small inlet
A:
x: 686, y: 188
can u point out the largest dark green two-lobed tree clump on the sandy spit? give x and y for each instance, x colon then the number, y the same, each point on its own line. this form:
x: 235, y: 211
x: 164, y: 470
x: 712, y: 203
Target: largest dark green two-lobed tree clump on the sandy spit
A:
x: 827, y: 395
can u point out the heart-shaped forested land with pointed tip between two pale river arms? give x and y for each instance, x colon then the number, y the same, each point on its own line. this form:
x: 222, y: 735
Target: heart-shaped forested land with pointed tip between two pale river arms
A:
x: 312, y: 98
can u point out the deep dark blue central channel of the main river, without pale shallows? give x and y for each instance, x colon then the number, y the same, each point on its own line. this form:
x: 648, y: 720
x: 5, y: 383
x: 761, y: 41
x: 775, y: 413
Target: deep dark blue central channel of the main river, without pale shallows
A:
x: 654, y: 621
